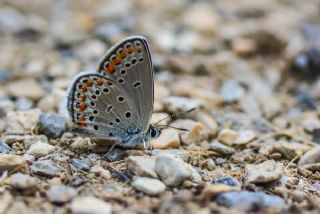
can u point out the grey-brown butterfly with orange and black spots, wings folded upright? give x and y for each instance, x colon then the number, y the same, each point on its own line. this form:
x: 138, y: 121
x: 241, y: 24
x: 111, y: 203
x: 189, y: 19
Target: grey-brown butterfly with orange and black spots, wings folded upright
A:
x: 116, y: 101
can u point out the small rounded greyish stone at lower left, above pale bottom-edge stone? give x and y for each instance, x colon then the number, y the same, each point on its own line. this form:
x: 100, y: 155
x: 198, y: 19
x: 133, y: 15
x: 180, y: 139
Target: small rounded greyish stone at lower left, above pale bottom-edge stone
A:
x: 61, y: 194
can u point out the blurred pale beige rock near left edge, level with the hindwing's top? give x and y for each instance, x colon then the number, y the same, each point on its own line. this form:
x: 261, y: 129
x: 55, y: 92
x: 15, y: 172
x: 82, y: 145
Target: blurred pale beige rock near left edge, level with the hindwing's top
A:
x: 25, y: 88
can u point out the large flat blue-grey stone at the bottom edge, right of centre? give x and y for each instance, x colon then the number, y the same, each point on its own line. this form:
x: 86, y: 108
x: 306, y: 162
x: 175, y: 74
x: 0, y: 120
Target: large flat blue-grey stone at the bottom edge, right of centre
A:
x: 250, y: 201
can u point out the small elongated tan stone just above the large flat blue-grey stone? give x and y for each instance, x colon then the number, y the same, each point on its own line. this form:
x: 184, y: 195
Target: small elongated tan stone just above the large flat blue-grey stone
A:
x: 211, y: 190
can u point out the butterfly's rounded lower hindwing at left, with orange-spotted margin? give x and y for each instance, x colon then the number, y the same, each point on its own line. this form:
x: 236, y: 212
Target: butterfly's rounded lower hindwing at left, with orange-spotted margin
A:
x: 99, y: 107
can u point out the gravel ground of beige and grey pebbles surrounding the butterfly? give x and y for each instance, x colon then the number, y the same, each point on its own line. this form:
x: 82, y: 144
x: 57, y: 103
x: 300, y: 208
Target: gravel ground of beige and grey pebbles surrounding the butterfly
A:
x: 250, y: 68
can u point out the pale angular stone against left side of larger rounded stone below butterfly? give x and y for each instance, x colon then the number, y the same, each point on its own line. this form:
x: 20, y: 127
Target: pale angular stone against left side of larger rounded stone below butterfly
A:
x: 143, y: 166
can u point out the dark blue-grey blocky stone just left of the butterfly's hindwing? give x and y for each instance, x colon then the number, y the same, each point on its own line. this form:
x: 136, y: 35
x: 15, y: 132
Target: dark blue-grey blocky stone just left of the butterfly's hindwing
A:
x: 52, y: 124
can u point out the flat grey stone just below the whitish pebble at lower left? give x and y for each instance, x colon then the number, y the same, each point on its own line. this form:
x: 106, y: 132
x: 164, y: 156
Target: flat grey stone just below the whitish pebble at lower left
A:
x: 46, y: 168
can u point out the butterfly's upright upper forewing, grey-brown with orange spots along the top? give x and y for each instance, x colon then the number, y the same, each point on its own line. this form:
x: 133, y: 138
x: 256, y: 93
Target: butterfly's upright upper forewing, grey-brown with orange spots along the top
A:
x: 129, y: 64
